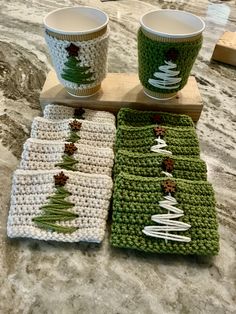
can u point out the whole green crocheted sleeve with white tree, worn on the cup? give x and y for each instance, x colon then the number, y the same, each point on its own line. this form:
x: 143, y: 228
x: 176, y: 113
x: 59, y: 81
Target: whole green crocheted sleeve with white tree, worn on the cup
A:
x: 172, y: 60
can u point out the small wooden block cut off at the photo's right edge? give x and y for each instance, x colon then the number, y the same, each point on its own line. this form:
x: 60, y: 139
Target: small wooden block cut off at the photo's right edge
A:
x: 225, y: 49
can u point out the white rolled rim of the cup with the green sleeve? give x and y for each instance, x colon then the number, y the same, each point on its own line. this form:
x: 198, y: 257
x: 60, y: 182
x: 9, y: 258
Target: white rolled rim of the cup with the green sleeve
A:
x: 168, y: 35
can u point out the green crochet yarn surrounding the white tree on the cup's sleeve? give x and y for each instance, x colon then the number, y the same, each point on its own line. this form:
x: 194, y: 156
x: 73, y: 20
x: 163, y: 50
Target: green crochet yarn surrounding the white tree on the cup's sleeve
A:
x: 153, y: 54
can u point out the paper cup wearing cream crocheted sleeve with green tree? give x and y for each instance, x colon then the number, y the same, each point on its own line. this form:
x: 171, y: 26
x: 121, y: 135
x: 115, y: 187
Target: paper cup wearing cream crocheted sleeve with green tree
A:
x: 77, y: 39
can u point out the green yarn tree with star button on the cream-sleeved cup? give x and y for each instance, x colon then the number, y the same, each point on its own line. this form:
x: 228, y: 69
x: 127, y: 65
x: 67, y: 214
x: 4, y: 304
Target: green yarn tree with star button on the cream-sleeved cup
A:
x: 73, y: 70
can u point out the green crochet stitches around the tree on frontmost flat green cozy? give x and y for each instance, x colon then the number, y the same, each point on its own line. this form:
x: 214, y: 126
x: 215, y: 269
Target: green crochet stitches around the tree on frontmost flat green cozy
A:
x: 136, y: 199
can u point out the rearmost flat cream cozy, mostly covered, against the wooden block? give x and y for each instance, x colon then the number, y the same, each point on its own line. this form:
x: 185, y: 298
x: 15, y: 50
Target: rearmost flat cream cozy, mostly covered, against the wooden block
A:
x: 58, y: 112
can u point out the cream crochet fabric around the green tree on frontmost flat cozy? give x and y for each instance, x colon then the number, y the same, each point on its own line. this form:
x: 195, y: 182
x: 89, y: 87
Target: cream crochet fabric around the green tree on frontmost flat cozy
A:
x: 90, y: 193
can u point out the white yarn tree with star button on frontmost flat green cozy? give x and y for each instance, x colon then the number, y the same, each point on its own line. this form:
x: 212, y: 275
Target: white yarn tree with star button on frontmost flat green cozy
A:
x: 167, y: 221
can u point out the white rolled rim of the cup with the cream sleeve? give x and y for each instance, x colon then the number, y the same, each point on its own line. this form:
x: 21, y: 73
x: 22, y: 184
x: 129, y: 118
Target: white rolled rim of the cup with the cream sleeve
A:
x: 89, y: 31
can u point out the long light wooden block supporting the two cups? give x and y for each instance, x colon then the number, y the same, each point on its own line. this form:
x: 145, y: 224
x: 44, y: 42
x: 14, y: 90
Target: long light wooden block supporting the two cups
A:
x: 124, y: 90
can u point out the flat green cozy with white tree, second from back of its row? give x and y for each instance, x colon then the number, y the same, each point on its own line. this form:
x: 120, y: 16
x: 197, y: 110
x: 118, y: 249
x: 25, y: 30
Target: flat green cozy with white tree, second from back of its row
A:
x: 178, y: 141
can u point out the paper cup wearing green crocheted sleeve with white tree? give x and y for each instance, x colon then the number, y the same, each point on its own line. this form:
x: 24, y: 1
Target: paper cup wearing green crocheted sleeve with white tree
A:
x: 168, y: 44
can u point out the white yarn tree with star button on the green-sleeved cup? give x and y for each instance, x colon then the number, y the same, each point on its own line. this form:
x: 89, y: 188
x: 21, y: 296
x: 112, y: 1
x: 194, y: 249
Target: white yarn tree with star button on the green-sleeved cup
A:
x: 166, y: 79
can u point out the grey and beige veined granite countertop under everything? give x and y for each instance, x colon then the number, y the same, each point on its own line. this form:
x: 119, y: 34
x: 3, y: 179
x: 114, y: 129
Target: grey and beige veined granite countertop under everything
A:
x: 38, y: 277
